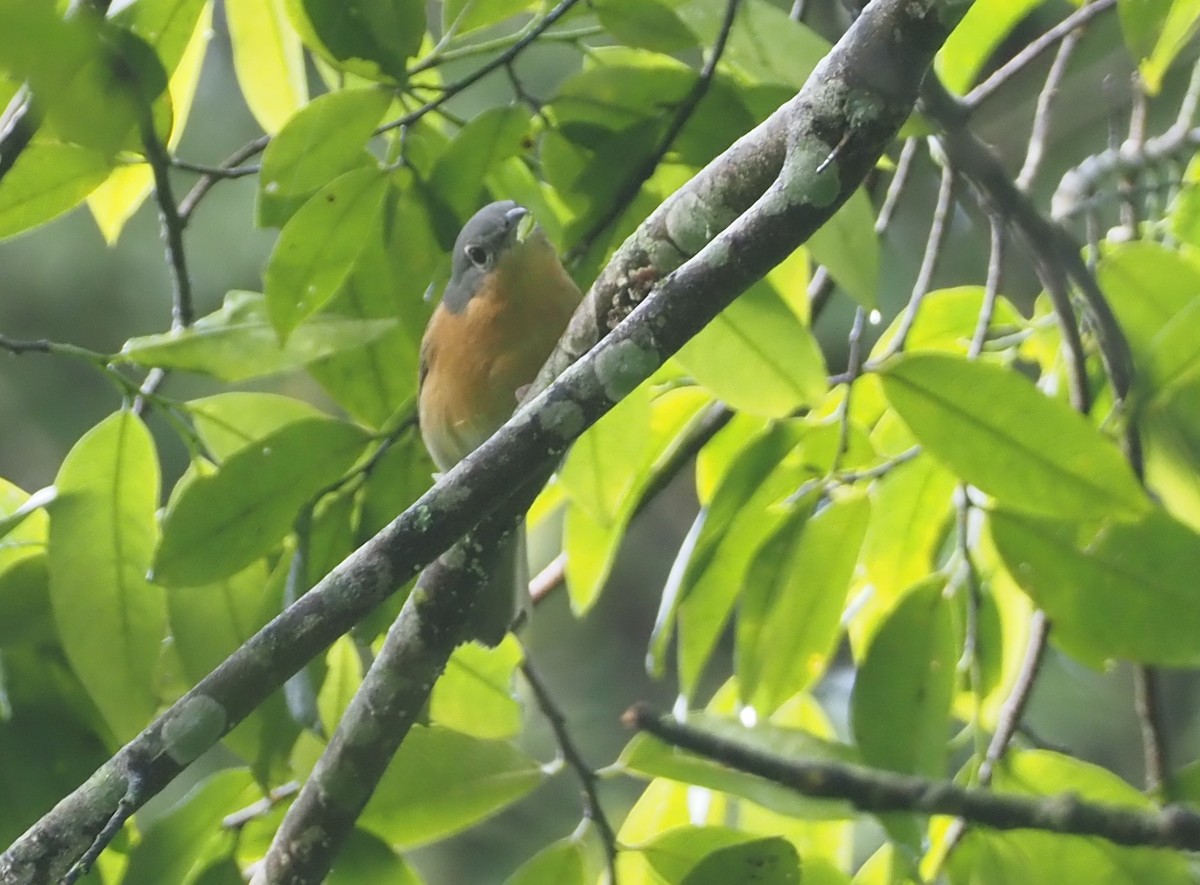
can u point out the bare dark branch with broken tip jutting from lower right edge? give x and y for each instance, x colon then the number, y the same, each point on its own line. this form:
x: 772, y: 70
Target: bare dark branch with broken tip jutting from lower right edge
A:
x: 878, y: 792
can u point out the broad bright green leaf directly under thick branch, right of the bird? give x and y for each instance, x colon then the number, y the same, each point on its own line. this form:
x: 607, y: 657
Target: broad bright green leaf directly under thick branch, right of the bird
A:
x: 758, y: 357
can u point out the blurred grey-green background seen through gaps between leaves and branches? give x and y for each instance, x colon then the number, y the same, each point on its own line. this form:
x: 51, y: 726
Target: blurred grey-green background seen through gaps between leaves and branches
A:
x: 64, y: 284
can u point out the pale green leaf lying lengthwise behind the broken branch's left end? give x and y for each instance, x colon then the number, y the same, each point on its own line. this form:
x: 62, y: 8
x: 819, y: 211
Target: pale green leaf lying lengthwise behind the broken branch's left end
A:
x: 651, y: 757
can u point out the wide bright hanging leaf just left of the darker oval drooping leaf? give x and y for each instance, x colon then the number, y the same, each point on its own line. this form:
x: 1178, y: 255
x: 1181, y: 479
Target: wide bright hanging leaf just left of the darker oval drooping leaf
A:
x: 791, y: 610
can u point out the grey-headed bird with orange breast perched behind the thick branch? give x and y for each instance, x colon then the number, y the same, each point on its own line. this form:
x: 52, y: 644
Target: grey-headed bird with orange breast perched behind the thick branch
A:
x: 502, y: 314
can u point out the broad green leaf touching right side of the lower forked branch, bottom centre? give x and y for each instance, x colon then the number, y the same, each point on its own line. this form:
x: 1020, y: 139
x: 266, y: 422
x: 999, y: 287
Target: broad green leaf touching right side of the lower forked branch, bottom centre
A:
x: 442, y: 782
